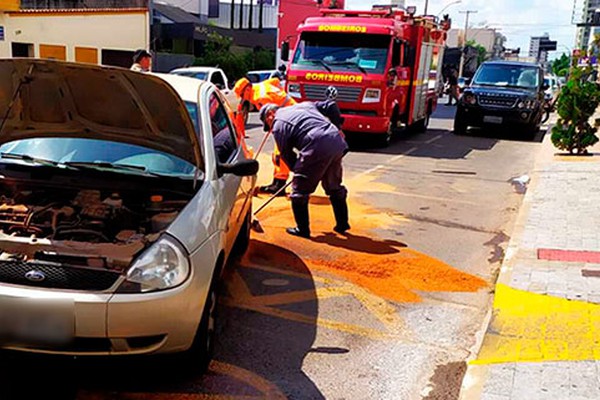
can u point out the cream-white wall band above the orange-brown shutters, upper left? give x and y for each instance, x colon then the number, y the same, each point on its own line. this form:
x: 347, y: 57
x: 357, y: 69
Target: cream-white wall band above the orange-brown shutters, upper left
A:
x: 115, y: 31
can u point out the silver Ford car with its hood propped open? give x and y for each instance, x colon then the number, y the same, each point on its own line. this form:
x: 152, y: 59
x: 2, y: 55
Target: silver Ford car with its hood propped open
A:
x: 123, y: 195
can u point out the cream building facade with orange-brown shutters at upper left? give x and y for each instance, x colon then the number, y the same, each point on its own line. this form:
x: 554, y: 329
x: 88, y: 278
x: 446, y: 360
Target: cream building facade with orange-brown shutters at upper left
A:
x: 104, y: 32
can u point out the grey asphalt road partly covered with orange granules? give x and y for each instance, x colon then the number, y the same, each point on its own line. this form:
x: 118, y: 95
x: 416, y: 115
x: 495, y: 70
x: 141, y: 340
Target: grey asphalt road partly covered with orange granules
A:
x: 390, y: 311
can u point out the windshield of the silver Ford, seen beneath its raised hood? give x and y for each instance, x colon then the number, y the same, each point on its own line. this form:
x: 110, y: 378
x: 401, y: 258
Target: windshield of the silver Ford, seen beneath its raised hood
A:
x: 92, y: 151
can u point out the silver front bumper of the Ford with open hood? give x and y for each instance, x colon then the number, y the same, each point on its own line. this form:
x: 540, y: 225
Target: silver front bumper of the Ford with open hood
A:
x: 114, y: 324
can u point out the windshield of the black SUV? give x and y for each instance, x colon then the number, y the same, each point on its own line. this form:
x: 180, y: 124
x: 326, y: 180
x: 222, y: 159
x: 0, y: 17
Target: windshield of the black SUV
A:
x: 507, y: 75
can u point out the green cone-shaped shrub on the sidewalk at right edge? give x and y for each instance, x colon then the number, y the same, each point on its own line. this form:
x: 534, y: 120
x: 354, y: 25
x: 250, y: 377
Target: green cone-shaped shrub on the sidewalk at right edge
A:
x: 577, y: 102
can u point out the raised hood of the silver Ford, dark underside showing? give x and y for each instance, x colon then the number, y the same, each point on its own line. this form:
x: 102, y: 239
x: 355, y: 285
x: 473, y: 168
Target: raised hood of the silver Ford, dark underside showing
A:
x: 59, y: 99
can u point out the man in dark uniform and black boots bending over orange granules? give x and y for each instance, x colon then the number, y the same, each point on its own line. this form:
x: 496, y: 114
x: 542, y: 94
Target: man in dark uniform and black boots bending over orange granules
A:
x: 320, y: 148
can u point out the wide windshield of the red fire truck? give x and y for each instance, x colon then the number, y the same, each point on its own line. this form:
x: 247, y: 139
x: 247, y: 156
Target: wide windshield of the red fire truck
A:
x: 342, y: 52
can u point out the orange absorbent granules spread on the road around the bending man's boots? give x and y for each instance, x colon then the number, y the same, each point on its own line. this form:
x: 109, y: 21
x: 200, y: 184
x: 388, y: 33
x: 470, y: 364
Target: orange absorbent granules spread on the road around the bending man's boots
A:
x: 384, y: 267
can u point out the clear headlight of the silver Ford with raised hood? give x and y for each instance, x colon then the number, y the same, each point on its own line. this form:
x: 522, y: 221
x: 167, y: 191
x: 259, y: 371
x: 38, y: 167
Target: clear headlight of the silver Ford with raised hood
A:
x: 163, y: 265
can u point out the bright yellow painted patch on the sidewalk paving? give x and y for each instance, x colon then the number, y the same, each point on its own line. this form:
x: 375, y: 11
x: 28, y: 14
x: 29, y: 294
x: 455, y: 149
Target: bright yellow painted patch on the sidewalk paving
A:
x: 529, y: 327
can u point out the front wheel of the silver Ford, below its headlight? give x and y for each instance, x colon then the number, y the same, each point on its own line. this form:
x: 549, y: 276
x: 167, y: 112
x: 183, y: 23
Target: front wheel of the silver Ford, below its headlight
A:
x: 198, y: 356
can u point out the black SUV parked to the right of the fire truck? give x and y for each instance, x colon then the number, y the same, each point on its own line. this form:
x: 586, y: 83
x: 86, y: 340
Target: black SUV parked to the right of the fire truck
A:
x: 502, y: 93
